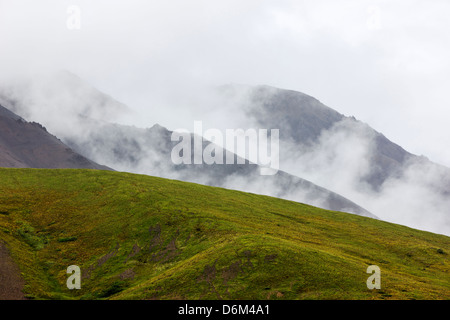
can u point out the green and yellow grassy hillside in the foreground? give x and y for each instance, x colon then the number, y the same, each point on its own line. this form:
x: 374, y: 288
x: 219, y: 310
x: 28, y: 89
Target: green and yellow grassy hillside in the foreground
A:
x: 140, y: 237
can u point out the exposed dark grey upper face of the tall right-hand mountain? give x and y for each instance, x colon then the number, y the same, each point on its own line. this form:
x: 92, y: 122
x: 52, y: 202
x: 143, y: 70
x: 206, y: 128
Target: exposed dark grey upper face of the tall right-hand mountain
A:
x: 304, y: 119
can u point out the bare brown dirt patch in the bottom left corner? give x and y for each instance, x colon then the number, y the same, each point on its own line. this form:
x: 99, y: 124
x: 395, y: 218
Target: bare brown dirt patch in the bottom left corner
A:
x: 11, y: 282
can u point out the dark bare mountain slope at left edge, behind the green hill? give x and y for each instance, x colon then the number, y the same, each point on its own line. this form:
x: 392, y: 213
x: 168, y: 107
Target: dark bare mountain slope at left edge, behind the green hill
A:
x: 28, y: 145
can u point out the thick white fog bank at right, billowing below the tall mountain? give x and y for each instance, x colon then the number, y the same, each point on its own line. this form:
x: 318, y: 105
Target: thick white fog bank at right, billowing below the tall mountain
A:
x: 418, y: 197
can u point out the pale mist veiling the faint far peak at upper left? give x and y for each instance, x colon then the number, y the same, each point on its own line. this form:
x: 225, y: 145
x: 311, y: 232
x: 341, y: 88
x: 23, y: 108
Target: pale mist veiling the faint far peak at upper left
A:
x: 60, y: 96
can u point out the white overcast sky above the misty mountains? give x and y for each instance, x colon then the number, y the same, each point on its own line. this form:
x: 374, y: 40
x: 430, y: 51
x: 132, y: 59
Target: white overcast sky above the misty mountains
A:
x: 384, y: 62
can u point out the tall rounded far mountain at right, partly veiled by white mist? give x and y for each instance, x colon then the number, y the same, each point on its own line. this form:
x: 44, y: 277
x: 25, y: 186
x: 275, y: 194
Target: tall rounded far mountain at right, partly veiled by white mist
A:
x: 347, y: 156
